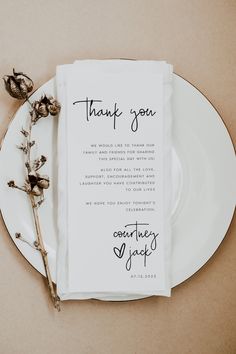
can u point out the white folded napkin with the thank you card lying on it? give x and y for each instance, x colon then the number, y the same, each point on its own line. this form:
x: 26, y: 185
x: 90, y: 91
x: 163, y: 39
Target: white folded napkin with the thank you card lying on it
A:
x: 114, y: 179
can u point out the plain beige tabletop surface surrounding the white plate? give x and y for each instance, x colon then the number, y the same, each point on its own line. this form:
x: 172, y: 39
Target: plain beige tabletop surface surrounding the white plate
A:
x: 199, y: 38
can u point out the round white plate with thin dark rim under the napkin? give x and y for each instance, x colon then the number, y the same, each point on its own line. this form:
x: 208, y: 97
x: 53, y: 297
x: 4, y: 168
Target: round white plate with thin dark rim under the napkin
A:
x: 204, y: 185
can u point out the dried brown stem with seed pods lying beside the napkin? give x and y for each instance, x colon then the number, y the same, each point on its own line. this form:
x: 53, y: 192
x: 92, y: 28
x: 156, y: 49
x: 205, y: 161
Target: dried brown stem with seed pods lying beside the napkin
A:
x: 18, y: 86
